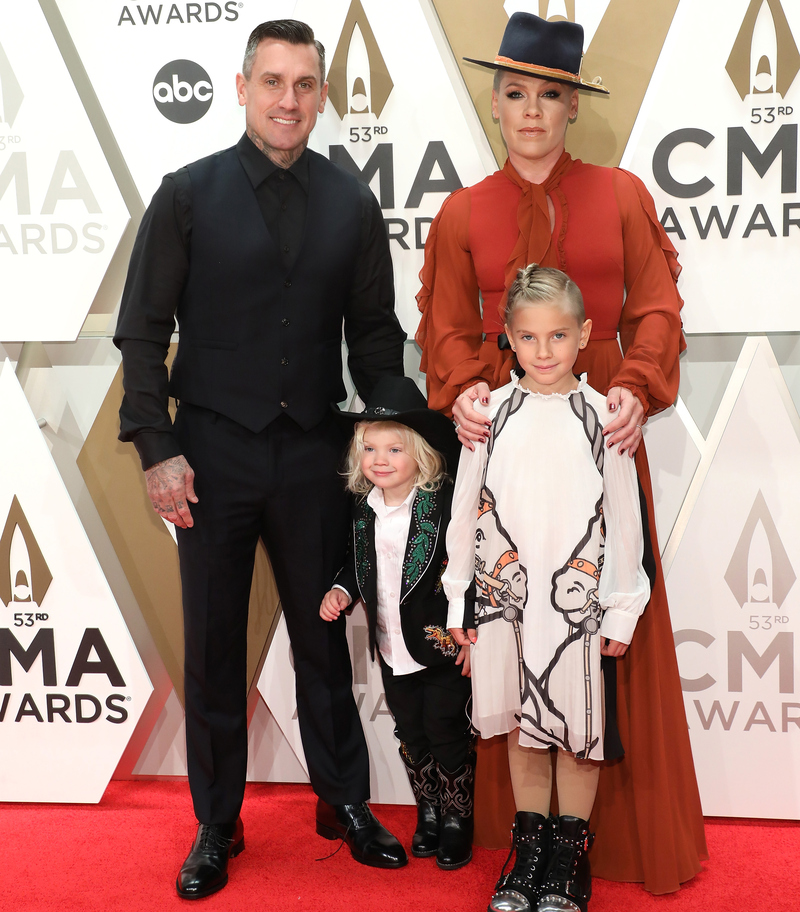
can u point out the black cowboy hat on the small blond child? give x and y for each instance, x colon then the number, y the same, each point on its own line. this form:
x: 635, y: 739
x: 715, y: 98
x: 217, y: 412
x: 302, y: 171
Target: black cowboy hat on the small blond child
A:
x: 399, y: 399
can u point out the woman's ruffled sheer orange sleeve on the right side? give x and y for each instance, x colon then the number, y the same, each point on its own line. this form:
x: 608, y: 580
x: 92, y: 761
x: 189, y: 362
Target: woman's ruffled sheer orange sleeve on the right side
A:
x: 650, y: 327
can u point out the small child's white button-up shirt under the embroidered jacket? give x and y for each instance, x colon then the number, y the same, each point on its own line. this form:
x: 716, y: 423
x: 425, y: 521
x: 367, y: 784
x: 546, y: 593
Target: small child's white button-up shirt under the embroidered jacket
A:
x: 391, y: 536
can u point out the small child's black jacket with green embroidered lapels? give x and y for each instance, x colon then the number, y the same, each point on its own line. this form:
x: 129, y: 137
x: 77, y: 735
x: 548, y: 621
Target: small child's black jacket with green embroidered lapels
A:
x: 423, y: 604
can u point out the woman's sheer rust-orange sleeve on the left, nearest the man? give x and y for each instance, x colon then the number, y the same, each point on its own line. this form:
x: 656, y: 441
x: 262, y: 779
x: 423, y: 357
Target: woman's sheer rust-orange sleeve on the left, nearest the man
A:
x: 450, y: 332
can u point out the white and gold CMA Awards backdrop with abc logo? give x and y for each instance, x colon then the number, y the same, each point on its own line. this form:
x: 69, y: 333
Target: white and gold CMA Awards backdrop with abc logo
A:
x: 99, y: 98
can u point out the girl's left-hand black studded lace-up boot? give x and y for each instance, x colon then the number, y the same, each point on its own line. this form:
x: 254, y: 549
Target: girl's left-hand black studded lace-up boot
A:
x: 519, y: 890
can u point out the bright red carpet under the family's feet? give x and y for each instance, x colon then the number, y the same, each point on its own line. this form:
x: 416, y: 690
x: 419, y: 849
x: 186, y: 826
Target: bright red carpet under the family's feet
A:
x: 124, y: 853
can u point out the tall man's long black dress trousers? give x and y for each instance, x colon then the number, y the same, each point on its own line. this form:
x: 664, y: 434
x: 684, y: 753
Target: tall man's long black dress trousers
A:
x: 280, y: 485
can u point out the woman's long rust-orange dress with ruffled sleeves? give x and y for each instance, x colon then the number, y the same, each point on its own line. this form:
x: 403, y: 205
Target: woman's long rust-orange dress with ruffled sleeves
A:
x: 608, y: 239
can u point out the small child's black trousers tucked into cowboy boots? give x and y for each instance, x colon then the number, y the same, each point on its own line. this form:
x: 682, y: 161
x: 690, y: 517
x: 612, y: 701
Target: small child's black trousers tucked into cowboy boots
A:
x: 431, y: 712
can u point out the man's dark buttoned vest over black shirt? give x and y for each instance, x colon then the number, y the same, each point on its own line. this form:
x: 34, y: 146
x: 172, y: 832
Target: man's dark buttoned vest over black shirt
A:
x: 256, y: 340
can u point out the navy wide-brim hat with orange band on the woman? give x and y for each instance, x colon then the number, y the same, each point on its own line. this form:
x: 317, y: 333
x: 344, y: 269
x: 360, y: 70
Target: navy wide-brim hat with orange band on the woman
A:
x: 547, y: 50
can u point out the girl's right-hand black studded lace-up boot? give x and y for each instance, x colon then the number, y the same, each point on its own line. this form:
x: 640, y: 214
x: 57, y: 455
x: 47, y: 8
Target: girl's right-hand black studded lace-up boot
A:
x: 567, y: 884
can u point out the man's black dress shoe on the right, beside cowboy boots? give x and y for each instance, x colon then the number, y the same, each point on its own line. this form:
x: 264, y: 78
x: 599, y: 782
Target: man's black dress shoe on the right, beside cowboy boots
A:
x: 368, y: 841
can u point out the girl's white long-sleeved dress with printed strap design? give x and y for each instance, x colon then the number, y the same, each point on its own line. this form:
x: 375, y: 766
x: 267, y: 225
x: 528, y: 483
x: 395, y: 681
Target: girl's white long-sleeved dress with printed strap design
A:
x: 547, y: 523
